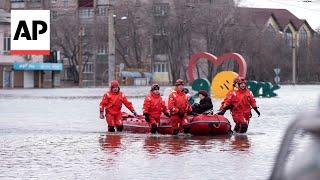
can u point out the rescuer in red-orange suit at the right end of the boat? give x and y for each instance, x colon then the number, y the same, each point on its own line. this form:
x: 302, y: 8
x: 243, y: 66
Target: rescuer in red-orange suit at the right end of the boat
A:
x: 240, y: 103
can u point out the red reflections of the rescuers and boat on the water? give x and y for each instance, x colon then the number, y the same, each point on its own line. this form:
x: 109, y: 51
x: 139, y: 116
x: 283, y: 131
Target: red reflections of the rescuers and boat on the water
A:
x: 155, y: 145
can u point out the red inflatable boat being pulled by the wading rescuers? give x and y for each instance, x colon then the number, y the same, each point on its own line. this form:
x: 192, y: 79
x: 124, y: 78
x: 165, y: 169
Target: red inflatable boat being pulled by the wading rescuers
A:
x: 198, y: 125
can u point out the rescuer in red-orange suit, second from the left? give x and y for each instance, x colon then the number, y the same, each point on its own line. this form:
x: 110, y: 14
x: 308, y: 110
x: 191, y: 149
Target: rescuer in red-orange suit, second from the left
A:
x: 153, y: 106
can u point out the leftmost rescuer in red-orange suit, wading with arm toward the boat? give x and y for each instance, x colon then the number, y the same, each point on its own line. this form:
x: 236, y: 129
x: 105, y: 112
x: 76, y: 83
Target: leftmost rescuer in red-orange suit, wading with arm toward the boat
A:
x: 111, y: 103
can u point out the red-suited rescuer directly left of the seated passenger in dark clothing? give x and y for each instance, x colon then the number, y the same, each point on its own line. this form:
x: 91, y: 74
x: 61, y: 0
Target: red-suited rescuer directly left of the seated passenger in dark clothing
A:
x: 179, y: 107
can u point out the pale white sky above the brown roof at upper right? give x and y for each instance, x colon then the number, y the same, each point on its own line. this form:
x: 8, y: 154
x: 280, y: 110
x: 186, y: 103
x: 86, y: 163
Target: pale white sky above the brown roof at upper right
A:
x: 303, y: 10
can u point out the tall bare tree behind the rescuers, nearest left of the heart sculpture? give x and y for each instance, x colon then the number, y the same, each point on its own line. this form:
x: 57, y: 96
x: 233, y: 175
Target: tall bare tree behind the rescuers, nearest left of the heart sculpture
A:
x: 174, y: 37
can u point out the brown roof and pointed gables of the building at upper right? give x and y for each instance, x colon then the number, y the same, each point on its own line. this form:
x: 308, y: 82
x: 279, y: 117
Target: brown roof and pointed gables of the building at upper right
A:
x: 297, y: 32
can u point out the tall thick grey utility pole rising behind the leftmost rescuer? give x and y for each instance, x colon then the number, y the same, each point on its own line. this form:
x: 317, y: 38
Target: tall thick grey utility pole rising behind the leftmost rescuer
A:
x: 111, y: 42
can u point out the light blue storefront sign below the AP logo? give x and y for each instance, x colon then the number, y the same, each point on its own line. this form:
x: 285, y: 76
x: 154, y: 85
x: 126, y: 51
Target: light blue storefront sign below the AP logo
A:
x: 37, y: 66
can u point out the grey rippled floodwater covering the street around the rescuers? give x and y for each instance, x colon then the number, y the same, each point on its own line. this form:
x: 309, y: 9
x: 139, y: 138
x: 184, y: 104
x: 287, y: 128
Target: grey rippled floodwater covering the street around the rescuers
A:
x: 56, y: 134
